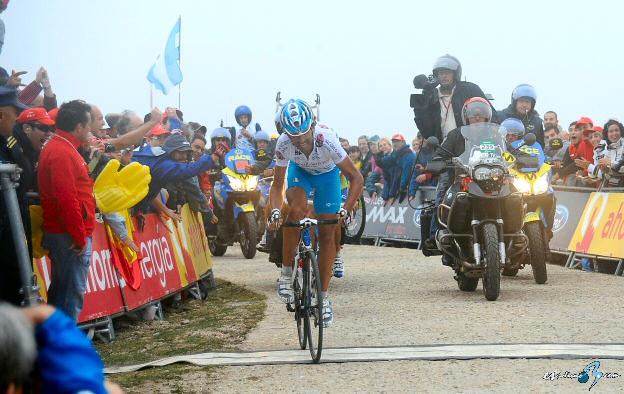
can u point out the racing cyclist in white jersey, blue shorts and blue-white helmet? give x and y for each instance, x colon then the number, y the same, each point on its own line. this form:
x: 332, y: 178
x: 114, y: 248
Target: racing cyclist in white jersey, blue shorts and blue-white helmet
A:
x: 314, y: 158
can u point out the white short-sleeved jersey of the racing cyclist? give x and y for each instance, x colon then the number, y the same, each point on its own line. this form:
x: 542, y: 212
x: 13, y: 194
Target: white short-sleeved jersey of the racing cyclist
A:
x: 326, y: 154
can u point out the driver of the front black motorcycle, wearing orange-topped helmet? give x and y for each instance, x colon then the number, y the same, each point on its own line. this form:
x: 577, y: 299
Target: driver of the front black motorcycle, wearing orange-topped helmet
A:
x: 475, y: 110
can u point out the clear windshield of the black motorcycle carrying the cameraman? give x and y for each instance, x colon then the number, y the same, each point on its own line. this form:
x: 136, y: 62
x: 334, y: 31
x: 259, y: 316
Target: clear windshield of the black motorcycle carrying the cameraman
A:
x: 485, y: 144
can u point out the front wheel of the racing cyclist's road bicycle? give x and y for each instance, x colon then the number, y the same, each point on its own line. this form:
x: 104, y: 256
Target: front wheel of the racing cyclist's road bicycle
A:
x: 313, y: 306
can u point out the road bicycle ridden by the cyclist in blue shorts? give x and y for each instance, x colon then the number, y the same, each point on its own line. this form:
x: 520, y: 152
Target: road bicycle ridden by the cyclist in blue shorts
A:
x: 308, y: 301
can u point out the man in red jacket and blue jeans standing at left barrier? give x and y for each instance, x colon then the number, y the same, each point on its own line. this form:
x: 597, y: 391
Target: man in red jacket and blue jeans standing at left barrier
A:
x: 66, y: 193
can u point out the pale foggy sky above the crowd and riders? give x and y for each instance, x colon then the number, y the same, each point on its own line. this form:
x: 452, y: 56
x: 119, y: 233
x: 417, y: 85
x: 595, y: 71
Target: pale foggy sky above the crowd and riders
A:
x: 360, y: 57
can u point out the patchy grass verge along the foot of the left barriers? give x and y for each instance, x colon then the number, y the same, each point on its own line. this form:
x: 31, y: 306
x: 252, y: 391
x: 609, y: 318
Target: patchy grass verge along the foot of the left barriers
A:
x: 219, y: 323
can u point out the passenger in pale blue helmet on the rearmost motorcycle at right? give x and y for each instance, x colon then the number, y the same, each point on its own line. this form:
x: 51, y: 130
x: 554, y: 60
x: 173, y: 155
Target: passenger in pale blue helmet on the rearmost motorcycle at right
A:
x: 522, y: 107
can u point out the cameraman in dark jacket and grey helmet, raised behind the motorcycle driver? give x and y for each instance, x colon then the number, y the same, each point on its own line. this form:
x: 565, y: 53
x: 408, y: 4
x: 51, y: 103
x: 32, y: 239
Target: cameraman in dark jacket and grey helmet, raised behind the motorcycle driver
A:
x: 445, y: 114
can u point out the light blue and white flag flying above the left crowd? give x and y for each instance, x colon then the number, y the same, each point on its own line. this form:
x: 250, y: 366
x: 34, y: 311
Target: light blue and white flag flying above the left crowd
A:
x: 166, y: 73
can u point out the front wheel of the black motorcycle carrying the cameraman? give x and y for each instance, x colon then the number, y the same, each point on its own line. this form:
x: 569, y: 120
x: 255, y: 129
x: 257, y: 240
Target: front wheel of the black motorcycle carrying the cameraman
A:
x: 491, y: 261
